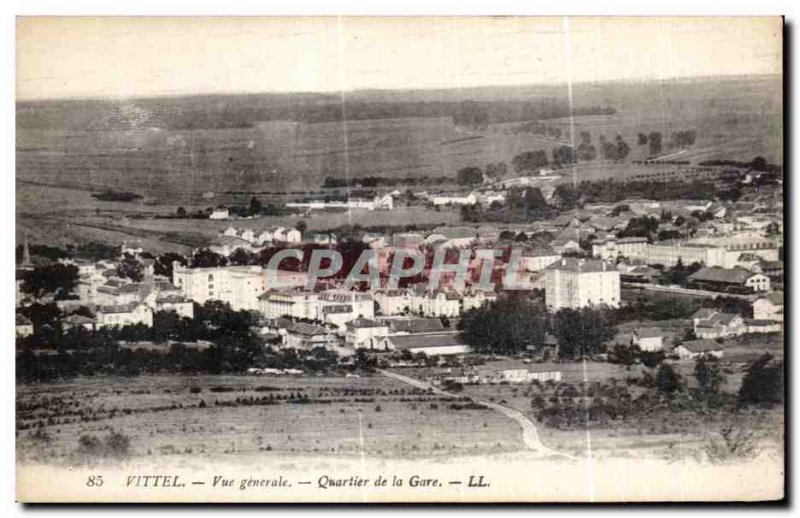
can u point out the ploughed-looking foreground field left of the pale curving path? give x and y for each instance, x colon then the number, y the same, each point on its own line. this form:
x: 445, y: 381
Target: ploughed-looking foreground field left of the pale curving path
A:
x: 235, y: 415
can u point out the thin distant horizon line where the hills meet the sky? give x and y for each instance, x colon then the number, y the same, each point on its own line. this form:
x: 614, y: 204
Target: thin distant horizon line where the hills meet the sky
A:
x: 174, y: 95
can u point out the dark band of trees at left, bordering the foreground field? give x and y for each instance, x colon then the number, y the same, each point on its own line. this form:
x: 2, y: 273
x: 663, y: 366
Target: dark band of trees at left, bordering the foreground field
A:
x: 234, y: 346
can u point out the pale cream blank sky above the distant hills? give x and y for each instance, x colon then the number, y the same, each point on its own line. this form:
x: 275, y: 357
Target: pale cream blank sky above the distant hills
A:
x: 123, y: 57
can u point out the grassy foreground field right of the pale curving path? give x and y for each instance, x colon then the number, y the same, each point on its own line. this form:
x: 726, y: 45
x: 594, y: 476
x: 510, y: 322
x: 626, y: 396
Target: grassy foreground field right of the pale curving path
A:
x: 656, y: 436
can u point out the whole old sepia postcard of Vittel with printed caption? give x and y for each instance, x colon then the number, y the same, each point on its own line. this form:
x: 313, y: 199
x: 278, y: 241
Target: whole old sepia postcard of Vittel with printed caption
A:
x: 409, y: 259
